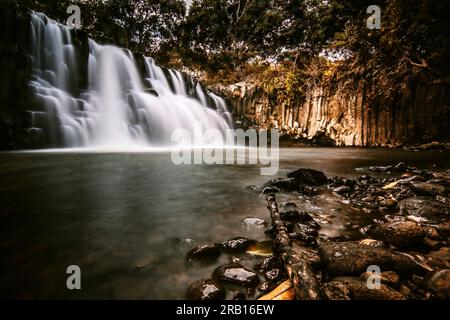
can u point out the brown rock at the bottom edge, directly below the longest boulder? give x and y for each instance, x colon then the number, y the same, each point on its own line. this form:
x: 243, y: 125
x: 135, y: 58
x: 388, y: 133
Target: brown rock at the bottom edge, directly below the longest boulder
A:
x: 356, y: 289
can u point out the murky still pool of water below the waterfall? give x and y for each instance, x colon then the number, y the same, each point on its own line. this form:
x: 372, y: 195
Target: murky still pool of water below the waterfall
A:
x: 118, y: 216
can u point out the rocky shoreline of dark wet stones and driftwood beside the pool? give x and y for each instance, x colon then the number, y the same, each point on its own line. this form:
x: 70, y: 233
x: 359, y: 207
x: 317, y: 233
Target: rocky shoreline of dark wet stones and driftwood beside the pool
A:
x: 407, y: 240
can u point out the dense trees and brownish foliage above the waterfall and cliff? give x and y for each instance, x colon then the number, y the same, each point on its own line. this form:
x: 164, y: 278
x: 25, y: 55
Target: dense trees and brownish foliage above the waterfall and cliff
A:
x: 233, y: 40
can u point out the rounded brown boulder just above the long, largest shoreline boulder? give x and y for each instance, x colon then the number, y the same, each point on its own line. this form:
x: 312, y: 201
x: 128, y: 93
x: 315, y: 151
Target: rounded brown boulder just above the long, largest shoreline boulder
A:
x: 402, y: 234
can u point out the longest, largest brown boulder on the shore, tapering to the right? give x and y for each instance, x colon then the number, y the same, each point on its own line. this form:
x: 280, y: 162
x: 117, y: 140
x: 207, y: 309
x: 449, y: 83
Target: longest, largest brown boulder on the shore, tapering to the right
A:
x: 348, y: 258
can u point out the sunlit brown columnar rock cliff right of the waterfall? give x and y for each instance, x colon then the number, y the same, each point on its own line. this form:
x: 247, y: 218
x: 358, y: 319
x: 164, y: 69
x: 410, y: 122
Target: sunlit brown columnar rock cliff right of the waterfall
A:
x: 420, y: 113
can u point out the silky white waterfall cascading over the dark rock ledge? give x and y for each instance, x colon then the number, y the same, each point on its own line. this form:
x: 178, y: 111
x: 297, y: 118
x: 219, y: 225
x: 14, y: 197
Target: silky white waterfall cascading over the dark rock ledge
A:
x: 116, y: 108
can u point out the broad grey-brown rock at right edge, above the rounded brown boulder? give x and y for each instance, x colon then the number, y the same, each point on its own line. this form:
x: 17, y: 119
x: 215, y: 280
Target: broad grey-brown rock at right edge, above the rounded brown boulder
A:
x: 425, y: 207
